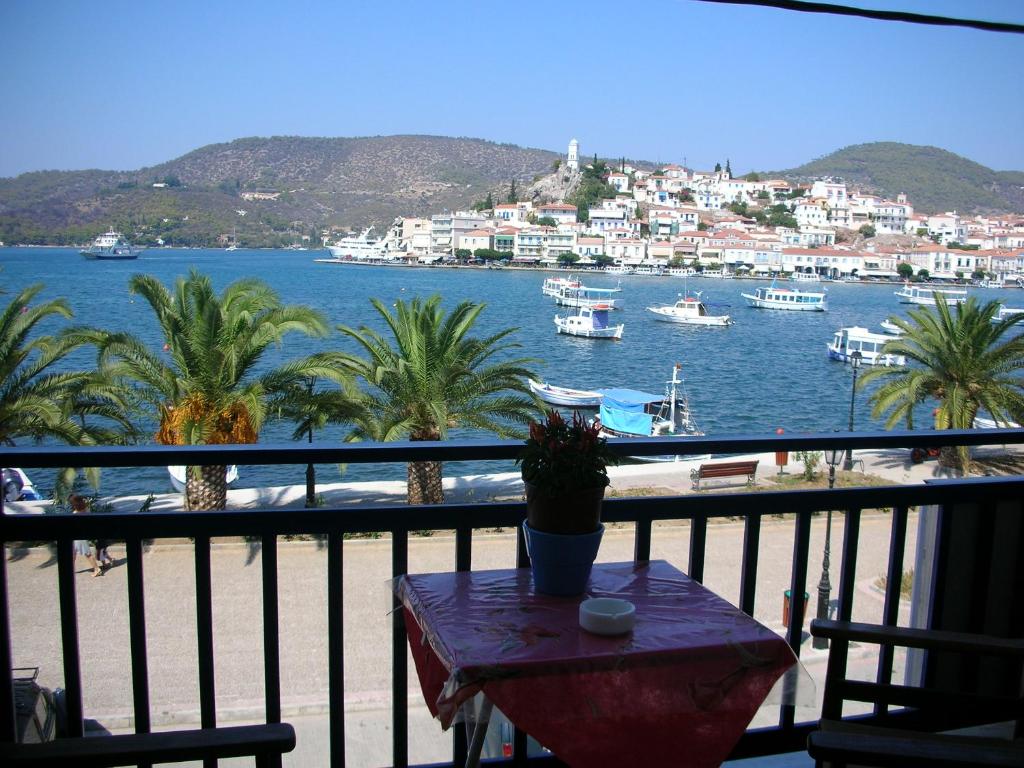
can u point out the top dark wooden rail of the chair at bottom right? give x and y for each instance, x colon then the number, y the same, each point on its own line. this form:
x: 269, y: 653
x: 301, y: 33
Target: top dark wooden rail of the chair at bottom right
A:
x: 917, y: 638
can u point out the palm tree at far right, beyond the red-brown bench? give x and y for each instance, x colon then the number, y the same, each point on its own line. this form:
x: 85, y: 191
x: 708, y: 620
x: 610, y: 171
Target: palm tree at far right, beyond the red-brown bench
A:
x: 965, y: 362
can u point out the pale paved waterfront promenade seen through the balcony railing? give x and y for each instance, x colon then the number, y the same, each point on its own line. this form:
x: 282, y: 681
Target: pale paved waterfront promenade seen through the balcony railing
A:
x: 303, y: 566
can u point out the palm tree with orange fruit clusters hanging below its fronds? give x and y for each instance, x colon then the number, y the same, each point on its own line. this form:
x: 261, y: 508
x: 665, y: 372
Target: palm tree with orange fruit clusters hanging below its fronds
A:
x: 204, y: 388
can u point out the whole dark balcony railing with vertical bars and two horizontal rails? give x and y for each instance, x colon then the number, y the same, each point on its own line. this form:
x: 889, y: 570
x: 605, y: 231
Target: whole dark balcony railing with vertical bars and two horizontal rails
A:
x: 334, y: 524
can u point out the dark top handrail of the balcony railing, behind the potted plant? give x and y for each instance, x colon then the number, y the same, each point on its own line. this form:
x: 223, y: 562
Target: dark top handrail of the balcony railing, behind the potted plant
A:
x: 476, y: 450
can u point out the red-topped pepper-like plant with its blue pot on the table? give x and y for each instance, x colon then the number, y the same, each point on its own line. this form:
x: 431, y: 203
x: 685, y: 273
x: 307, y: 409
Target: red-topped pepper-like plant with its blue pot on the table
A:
x: 565, y: 468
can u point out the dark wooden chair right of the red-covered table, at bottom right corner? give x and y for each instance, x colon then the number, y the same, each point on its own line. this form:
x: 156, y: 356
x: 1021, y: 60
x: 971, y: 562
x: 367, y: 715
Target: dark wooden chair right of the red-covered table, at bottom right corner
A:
x: 909, y: 737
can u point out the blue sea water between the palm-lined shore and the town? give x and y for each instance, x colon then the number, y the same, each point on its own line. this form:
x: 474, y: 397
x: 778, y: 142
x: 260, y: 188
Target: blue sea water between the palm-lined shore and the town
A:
x: 769, y: 371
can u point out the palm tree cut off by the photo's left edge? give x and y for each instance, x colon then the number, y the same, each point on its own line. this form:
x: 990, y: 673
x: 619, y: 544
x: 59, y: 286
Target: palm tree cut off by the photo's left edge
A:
x: 40, y: 402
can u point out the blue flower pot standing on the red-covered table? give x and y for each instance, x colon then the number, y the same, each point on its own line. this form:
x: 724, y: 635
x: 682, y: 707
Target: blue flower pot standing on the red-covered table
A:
x: 562, y: 563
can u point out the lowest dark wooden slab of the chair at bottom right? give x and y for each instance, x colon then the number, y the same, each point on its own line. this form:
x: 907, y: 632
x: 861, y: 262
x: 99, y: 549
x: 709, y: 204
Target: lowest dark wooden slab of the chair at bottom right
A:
x: 899, y: 752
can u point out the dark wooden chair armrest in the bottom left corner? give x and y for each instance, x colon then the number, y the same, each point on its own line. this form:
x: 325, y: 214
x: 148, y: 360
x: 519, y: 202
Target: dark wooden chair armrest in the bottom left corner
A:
x: 266, y: 743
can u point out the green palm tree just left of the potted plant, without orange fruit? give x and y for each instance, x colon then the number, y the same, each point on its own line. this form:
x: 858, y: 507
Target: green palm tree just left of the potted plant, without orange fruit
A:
x: 436, y: 378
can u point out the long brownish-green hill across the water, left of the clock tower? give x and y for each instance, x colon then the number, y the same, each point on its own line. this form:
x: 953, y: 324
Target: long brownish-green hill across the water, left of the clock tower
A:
x: 319, y: 183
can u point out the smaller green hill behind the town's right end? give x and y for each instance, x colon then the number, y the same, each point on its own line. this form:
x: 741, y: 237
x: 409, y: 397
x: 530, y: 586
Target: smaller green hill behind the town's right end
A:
x: 934, y: 180
